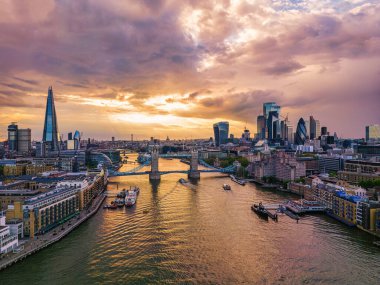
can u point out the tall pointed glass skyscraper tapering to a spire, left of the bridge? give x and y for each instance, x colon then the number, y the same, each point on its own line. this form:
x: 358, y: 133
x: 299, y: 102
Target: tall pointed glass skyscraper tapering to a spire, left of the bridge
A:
x: 51, y: 135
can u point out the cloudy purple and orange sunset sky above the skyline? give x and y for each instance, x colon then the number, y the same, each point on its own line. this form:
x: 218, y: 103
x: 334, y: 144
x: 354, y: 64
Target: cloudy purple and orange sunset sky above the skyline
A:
x: 158, y: 68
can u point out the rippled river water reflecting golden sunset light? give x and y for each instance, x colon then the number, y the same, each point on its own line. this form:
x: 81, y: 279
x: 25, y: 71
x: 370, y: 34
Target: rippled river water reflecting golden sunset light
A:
x: 201, y: 234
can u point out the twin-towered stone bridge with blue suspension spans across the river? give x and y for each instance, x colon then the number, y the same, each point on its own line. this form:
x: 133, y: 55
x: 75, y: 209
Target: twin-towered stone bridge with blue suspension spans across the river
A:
x: 155, y: 173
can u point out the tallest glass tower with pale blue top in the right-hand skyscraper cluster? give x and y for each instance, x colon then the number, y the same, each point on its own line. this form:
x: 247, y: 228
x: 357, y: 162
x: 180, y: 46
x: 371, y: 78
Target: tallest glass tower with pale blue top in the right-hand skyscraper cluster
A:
x: 271, y: 112
